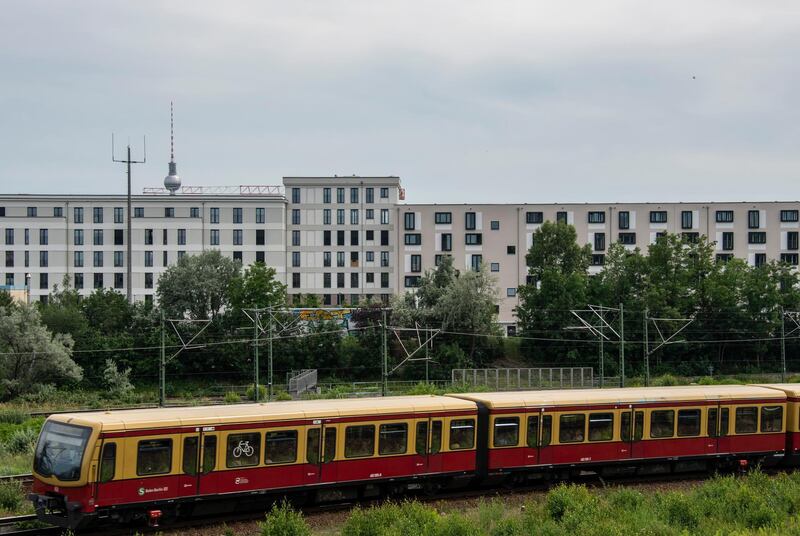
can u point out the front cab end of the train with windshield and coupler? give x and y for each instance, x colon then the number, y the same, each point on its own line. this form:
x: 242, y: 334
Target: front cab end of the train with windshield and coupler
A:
x: 65, y: 460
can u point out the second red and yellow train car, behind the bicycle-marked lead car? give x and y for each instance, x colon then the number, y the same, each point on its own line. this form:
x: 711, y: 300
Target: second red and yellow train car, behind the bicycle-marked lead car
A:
x: 648, y: 430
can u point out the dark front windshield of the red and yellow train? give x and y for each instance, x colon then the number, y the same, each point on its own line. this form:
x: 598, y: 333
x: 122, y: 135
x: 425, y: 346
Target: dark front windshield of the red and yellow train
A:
x: 60, y: 450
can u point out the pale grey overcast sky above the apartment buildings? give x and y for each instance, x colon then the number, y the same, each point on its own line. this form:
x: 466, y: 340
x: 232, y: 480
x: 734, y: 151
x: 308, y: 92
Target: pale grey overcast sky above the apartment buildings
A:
x: 489, y: 101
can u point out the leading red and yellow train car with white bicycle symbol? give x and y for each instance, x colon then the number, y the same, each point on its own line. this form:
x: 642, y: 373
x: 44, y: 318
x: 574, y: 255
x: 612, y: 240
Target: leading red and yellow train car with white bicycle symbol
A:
x: 161, y: 464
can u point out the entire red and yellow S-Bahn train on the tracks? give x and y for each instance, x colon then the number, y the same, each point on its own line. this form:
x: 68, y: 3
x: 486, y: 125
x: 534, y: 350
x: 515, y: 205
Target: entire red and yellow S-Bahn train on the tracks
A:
x: 146, y: 465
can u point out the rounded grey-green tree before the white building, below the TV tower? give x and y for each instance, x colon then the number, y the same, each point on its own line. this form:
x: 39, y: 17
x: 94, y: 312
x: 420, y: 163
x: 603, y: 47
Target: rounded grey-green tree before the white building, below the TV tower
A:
x: 198, y: 286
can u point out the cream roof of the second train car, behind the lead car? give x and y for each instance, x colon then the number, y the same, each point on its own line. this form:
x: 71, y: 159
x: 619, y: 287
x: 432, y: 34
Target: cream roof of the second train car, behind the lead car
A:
x: 629, y: 395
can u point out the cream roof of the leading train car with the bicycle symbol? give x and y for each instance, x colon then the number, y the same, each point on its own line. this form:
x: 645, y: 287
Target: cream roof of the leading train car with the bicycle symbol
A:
x: 138, y: 419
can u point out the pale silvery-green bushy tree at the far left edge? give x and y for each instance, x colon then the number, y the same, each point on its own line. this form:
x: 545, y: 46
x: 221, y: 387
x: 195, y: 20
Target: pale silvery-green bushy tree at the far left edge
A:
x: 30, y: 354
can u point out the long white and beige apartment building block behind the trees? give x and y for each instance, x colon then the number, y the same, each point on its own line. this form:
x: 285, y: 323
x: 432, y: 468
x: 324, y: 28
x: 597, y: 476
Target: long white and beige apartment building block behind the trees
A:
x: 345, y: 239
